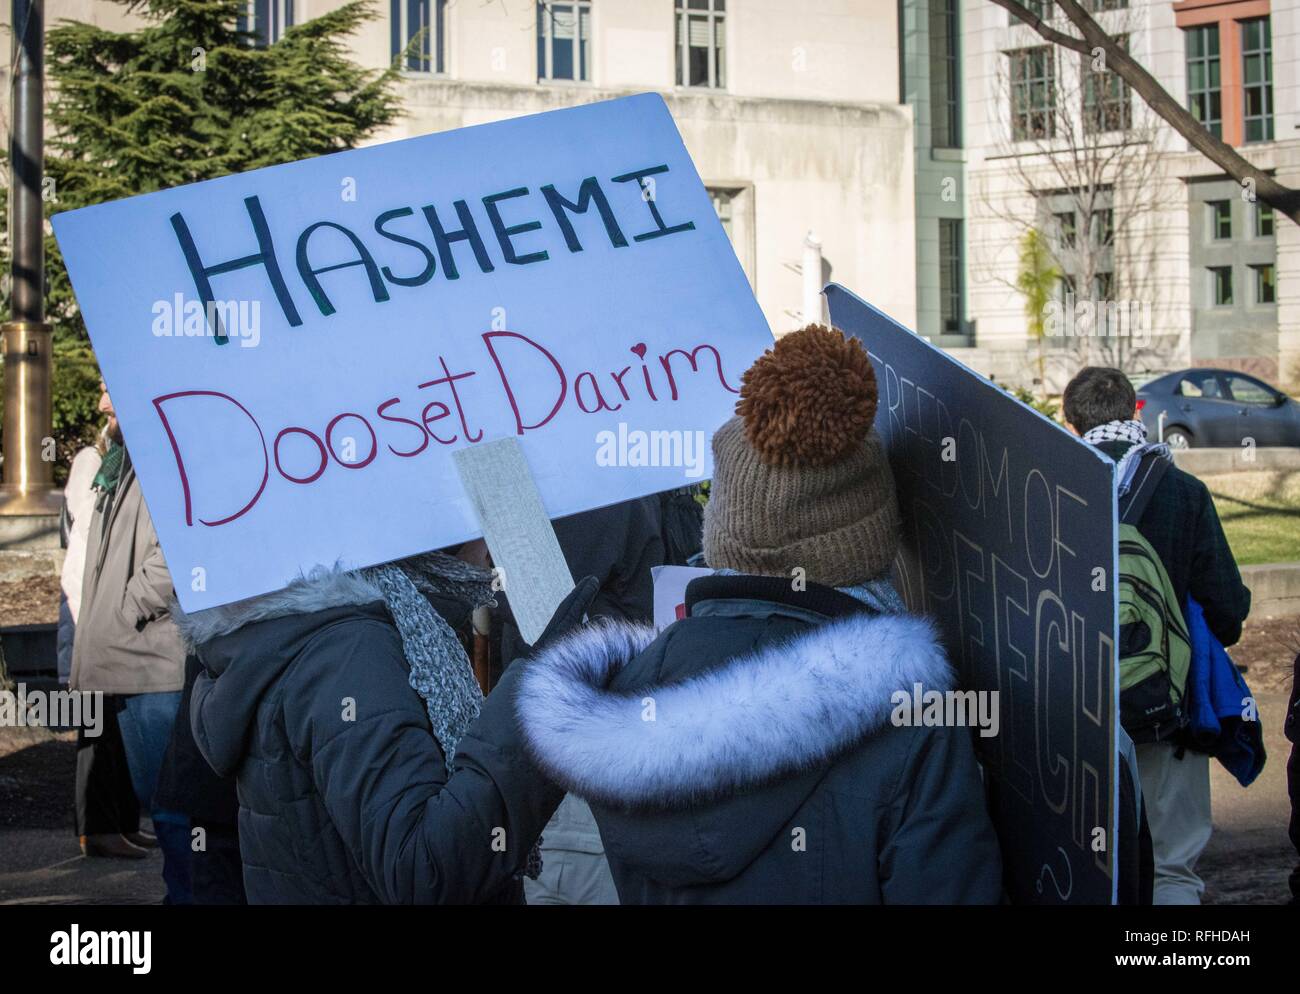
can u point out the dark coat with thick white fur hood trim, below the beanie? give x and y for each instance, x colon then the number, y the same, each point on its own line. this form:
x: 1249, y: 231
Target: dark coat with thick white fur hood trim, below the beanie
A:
x: 747, y: 754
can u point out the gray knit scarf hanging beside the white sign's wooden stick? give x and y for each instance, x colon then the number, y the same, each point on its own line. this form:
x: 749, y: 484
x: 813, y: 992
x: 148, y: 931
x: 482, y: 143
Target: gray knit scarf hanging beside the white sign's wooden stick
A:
x: 441, y: 672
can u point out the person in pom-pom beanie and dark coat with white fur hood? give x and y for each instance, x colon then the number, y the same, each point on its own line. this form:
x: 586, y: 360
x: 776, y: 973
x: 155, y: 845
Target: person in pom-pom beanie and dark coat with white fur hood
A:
x: 753, y: 752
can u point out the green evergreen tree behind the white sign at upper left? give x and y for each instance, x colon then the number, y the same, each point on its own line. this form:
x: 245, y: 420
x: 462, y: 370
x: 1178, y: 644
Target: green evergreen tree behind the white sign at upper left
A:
x: 188, y: 97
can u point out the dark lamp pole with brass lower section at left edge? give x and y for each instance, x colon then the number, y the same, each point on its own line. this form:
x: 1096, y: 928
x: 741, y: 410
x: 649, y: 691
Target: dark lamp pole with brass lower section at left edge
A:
x: 27, y: 483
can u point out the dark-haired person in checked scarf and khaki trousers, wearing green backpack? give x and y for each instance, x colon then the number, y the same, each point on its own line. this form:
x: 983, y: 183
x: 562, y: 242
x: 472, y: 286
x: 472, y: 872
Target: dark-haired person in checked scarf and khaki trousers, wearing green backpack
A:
x: 1184, y: 529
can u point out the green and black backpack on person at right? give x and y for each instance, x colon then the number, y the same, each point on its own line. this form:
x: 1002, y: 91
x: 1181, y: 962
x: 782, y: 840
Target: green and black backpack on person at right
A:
x: 1155, y: 649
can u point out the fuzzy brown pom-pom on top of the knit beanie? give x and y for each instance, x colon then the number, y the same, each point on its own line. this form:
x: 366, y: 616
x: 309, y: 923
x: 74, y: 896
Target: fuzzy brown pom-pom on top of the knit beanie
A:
x: 809, y: 400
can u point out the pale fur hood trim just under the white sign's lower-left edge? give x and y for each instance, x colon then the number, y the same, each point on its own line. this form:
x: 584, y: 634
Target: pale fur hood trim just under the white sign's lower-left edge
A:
x: 323, y: 588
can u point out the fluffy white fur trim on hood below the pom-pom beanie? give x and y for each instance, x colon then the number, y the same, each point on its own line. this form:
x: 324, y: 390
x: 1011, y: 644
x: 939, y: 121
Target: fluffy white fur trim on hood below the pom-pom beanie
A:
x: 761, y: 715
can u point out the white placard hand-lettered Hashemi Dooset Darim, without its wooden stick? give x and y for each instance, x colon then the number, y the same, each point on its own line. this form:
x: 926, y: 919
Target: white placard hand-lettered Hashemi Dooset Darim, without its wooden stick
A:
x: 294, y: 353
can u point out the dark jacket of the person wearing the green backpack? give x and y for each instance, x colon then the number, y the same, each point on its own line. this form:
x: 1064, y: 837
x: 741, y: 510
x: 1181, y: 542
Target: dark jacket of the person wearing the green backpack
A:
x: 1184, y: 529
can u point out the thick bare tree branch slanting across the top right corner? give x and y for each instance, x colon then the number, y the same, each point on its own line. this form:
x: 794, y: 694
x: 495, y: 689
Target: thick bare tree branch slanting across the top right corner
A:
x: 1281, y: 198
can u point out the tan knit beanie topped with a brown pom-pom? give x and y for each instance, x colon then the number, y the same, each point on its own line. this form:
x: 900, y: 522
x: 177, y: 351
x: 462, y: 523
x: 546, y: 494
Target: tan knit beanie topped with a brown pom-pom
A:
x: 800, y: 475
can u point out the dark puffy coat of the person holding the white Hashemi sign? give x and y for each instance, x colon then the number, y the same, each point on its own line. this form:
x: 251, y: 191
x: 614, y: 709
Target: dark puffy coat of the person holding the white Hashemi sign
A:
x: 344, y: 792
